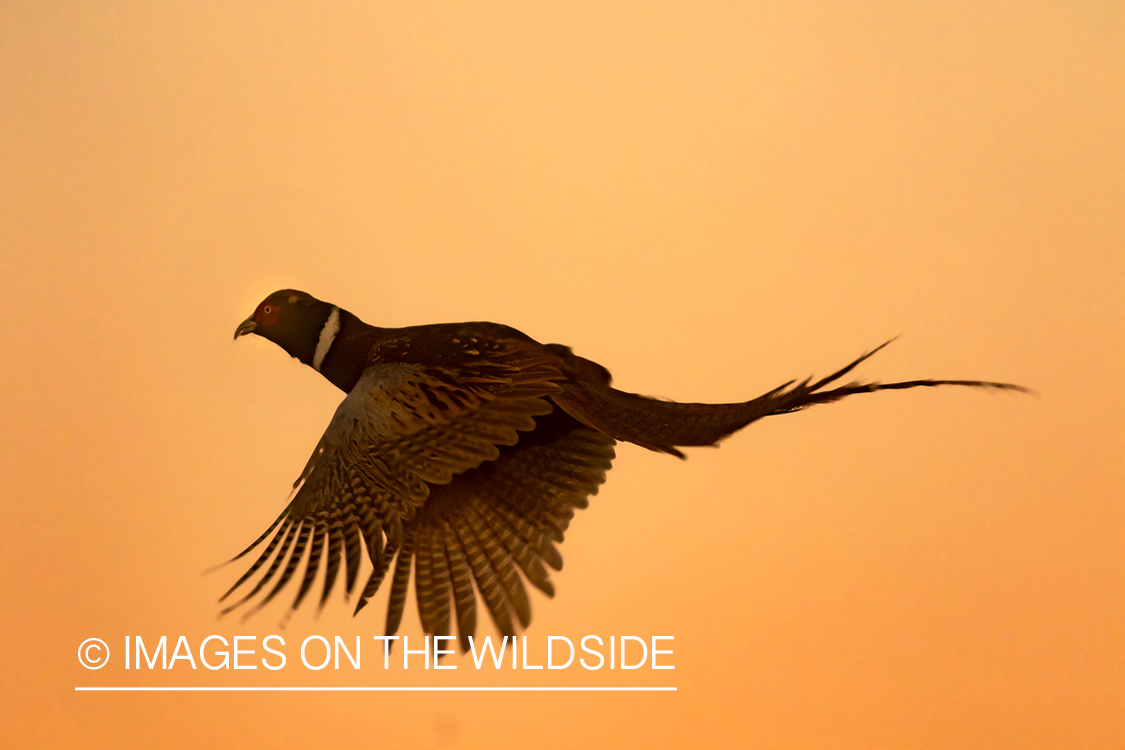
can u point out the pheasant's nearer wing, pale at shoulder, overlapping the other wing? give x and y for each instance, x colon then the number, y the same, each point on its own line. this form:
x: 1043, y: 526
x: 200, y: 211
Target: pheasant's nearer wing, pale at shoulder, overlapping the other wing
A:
x: 404, y: 430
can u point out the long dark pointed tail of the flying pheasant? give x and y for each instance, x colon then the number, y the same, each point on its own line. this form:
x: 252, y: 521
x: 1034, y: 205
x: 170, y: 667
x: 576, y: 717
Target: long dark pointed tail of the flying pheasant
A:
x: 665, y: 426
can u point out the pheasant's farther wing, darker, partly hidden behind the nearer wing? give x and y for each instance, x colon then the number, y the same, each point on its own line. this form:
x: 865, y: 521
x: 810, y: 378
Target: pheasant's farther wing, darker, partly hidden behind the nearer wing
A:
x: 496, y: 521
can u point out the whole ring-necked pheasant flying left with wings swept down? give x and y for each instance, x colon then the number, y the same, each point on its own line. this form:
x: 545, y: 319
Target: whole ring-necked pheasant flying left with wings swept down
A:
x: 465, y: 449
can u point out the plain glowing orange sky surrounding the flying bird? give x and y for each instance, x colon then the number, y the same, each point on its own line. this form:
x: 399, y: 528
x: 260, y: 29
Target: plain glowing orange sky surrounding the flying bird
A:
x: 708, y: 198
